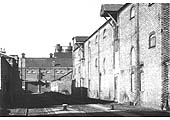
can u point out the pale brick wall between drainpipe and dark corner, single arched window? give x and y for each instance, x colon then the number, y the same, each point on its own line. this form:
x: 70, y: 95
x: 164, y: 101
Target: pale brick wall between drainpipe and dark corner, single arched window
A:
x: 149, y: 21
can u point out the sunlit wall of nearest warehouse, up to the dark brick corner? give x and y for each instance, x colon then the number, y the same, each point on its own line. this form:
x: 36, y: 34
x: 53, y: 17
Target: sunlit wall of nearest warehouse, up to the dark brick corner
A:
x: 150, y: 60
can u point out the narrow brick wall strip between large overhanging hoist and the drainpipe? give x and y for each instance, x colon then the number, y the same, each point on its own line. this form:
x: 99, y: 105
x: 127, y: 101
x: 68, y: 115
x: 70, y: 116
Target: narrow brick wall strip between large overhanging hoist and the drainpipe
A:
x: 128, y: 37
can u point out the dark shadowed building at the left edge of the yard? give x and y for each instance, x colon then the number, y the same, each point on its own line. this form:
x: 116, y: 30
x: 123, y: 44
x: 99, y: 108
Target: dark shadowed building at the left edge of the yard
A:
x: 10, y: 83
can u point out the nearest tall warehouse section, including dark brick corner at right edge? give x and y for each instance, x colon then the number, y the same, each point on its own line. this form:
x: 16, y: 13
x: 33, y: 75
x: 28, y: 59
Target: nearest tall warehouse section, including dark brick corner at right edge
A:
x: 143, y: 34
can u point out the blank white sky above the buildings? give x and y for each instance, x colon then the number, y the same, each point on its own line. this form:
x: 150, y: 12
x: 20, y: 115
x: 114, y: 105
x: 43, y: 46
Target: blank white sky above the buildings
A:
x: 36, y: 26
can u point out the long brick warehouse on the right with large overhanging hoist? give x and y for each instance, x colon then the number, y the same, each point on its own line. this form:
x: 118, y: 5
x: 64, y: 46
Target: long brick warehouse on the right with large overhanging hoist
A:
x: 130, y: 64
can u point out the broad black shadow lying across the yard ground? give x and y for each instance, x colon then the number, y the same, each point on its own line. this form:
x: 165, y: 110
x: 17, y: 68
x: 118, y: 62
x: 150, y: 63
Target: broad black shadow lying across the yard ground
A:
x: 52, y: 98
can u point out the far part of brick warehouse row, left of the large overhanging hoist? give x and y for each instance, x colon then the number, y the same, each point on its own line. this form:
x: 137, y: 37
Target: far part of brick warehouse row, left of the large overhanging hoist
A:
x: 94, y: 65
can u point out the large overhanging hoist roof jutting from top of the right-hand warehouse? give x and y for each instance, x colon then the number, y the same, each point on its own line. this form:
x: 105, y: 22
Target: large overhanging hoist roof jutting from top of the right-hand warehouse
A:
x: 111, y: 9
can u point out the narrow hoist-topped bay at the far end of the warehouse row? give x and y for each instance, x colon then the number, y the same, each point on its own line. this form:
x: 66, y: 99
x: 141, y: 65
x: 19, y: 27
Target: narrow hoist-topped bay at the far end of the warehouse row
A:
x: 78, y: 79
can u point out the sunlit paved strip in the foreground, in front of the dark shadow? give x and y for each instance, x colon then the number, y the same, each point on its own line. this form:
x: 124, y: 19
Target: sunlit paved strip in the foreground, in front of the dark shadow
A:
x: 86, y: 110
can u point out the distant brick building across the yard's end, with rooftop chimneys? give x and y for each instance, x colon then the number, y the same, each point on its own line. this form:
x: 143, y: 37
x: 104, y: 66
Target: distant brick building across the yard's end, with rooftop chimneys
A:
x: 39, y: 74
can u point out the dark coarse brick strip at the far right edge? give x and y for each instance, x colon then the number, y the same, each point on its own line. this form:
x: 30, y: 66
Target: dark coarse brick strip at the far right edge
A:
x: 165, y: 23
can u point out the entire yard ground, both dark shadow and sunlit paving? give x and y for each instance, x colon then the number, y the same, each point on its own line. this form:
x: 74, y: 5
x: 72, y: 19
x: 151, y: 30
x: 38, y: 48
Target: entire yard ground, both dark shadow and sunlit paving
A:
x: 50, y: 104
